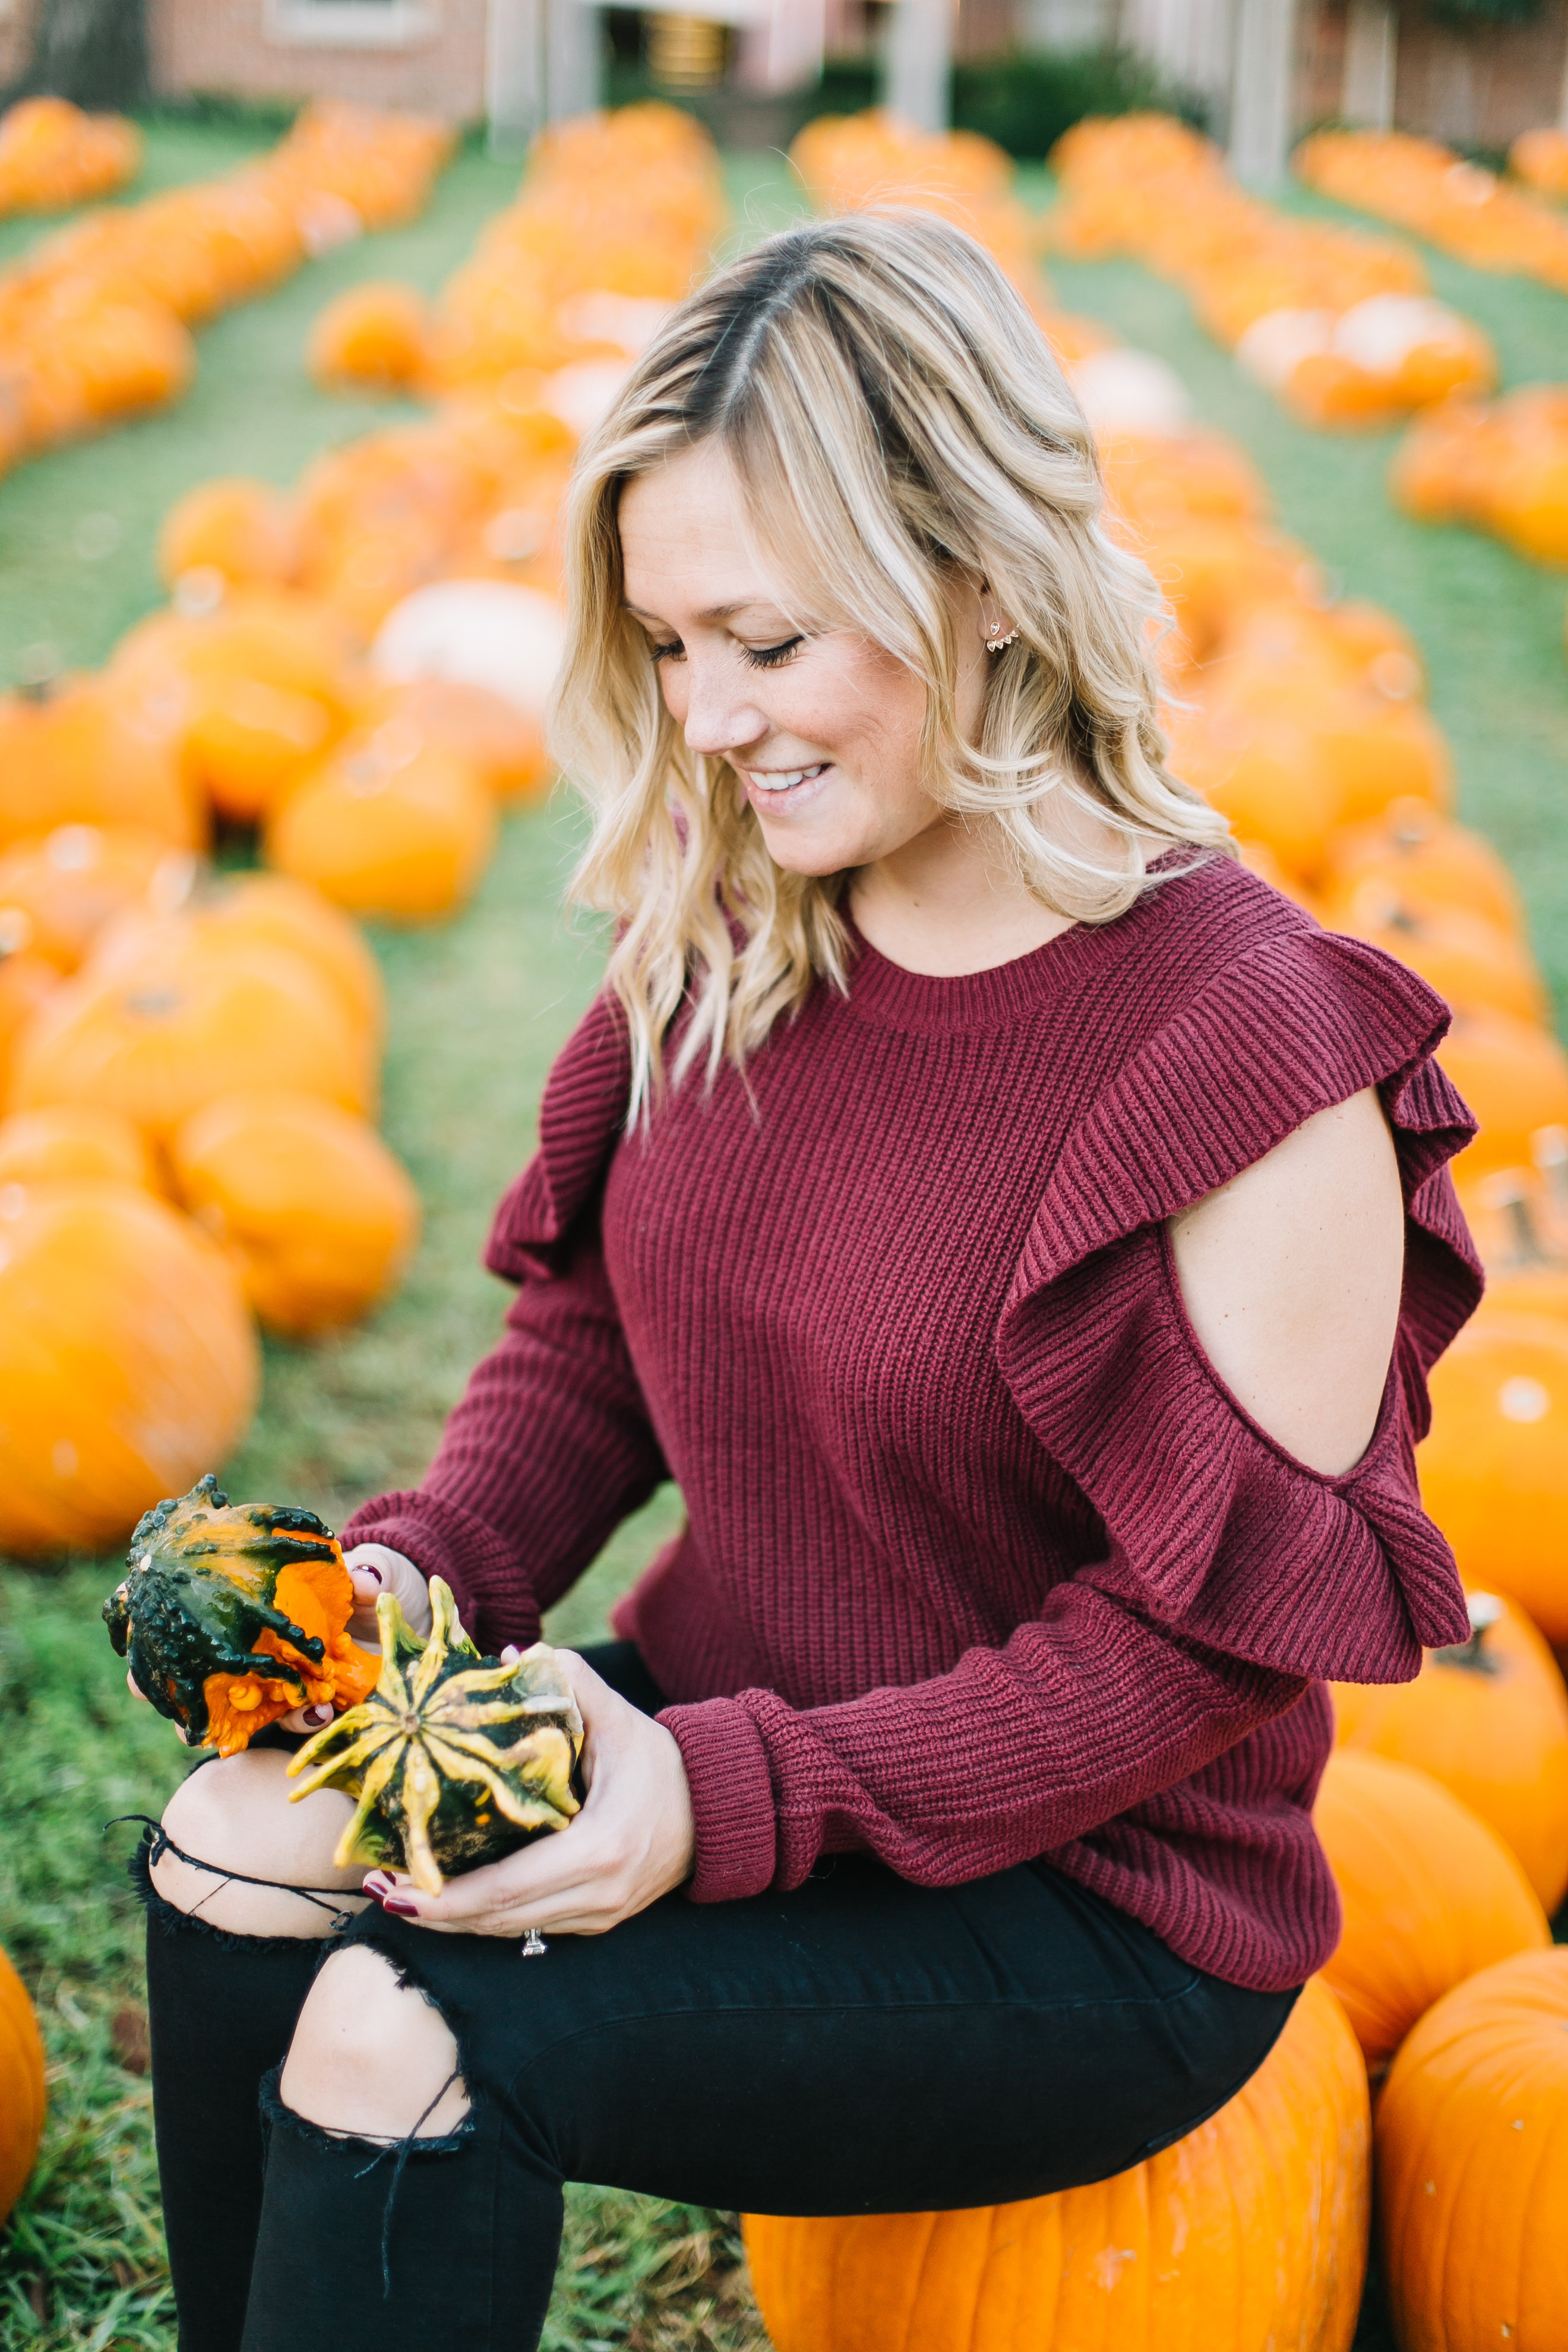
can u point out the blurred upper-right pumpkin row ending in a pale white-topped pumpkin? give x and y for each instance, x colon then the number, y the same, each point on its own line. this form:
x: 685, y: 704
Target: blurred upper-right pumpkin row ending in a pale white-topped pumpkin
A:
x: 1334, y: 321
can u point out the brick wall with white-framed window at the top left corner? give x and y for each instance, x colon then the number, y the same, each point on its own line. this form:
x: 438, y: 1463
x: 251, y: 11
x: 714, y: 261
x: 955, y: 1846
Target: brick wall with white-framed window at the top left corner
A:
x: 243, y: 48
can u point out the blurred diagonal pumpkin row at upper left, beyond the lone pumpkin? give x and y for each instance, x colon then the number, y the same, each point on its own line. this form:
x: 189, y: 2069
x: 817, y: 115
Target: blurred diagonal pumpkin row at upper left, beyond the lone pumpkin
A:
x: 95, y: 323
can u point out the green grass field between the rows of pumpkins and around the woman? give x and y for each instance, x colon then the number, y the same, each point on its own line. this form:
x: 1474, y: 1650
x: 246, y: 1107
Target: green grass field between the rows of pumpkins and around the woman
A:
x: 478, y: 1013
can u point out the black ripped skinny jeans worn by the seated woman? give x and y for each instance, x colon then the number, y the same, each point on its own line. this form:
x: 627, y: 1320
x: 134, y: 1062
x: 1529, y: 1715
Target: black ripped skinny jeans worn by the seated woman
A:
x: 855, y: 2047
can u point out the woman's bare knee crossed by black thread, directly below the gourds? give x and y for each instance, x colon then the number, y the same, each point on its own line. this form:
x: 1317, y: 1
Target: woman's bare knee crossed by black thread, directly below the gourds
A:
x: 236, y: 1817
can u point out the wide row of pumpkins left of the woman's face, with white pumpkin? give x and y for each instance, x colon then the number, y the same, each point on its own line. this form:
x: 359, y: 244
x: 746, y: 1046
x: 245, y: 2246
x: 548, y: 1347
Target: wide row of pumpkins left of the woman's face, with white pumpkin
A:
x: 189, y: 1062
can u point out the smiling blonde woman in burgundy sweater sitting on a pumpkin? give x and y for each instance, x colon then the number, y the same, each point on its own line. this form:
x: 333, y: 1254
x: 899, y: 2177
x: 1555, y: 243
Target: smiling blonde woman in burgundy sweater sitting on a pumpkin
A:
x: 1021, y: 1234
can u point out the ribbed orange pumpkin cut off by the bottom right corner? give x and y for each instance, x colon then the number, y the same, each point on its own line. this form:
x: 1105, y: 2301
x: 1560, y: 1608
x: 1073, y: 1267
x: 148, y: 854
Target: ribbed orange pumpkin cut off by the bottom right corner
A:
x: 1473, y: 2165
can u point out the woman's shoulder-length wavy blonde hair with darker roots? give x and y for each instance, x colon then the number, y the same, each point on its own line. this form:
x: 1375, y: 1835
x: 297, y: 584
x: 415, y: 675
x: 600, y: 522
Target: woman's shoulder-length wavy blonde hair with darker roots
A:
x: 897, y: 420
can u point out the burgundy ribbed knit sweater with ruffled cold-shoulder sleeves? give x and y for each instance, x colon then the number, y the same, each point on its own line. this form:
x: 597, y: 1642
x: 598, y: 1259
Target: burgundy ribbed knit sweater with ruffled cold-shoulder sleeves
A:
x: 981, y: 1561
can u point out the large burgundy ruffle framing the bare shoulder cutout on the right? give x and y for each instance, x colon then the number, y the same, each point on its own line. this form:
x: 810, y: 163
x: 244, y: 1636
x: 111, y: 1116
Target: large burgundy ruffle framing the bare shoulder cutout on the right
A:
x: 1212, y: 1528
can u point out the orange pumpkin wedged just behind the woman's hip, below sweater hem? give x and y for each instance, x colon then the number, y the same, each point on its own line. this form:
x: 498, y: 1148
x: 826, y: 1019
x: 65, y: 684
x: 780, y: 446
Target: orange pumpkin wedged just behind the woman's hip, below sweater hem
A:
x: 1430, y: 1895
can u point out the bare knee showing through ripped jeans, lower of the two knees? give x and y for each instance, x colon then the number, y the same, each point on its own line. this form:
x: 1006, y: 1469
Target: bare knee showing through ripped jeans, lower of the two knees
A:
x: 370, y: 2057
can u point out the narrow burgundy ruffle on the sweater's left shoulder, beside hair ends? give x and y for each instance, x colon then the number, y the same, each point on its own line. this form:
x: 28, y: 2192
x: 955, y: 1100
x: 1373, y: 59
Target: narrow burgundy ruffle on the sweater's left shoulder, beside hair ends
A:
x: 579, y: 1121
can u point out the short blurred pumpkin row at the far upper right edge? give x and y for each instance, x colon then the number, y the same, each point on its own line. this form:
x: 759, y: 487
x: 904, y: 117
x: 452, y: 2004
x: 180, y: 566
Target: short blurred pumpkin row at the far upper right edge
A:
x: 1470, y: 213
